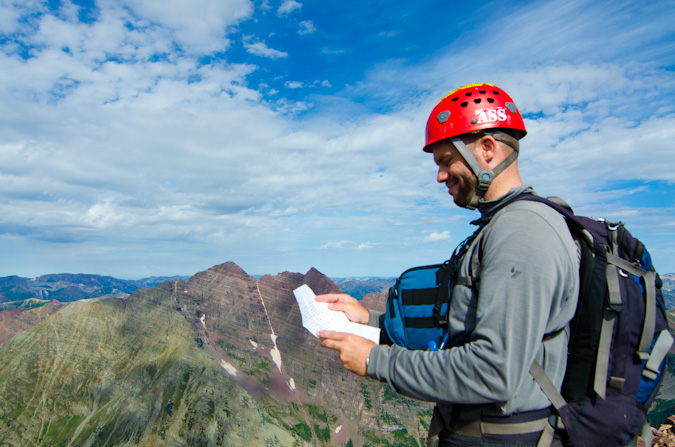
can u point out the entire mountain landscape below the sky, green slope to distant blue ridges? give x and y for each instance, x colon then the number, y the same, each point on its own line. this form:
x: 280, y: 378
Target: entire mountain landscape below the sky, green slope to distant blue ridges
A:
x: 220, y: 358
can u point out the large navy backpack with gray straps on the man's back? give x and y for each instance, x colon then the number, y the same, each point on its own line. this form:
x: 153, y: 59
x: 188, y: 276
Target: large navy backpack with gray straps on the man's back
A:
x: 619, y: 337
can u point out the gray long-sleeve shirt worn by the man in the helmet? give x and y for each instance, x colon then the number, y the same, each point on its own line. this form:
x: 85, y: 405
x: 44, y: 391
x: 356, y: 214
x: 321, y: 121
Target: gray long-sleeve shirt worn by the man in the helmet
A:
x: 528, y: 288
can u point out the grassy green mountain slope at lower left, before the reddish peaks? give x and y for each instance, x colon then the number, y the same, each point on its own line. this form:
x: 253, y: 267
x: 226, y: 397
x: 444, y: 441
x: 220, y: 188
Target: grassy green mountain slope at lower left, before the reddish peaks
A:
x: 117, y: 372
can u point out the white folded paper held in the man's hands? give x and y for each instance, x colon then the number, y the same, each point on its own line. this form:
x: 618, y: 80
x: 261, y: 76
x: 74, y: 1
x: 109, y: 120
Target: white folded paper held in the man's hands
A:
x: 317, y: 317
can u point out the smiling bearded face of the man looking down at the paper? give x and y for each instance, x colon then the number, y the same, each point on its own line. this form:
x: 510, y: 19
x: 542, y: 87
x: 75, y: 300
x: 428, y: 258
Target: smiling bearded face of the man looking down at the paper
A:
x: 454, y: 172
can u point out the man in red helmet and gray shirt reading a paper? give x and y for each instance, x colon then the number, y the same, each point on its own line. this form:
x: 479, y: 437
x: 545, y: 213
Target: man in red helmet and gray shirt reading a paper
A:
x: 523, y: 265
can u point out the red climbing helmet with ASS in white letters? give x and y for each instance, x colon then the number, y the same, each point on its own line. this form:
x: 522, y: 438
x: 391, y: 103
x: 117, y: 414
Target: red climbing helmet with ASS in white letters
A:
x: 472, y: 108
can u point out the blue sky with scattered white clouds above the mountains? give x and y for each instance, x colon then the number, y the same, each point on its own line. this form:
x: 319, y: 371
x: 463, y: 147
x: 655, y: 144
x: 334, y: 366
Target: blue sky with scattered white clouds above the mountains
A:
x: 142, y: 138
